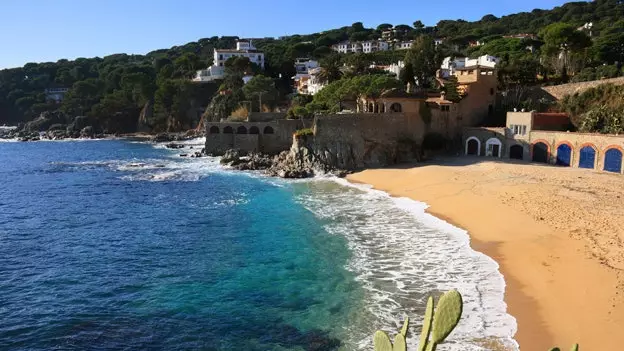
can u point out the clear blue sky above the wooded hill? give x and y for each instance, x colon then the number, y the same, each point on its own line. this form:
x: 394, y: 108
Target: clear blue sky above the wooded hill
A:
x: 48, y: 30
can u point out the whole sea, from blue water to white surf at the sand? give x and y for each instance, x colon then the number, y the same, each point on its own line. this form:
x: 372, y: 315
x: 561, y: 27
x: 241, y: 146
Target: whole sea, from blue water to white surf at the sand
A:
x: 127, y: 245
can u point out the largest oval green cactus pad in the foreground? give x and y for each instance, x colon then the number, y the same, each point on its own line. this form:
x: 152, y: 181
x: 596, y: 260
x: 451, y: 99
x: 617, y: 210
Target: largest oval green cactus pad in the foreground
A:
x: 446, y: 316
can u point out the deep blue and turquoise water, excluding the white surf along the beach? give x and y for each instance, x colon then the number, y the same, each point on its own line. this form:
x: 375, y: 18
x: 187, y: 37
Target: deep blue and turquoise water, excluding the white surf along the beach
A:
x: 113, y: 245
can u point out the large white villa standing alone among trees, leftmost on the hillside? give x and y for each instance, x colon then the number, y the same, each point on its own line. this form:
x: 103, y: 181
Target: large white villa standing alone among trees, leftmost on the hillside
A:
x: 217, y: 70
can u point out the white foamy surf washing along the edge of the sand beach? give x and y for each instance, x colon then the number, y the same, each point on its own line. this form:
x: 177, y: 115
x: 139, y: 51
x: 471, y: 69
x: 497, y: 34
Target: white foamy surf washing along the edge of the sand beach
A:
x: 400, y: 254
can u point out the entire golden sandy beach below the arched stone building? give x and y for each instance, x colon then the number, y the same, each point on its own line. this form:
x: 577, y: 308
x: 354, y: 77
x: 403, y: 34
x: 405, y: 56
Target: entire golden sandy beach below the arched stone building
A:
x: 555, y: 232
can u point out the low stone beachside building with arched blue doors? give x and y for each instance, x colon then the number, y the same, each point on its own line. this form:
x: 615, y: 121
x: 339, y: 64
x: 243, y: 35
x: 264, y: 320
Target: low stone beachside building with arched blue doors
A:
x: 545, y: 138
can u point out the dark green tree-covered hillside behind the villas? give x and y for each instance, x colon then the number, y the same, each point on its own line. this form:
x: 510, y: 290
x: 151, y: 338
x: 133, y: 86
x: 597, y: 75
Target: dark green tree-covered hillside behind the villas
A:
x: 120, y: 93
